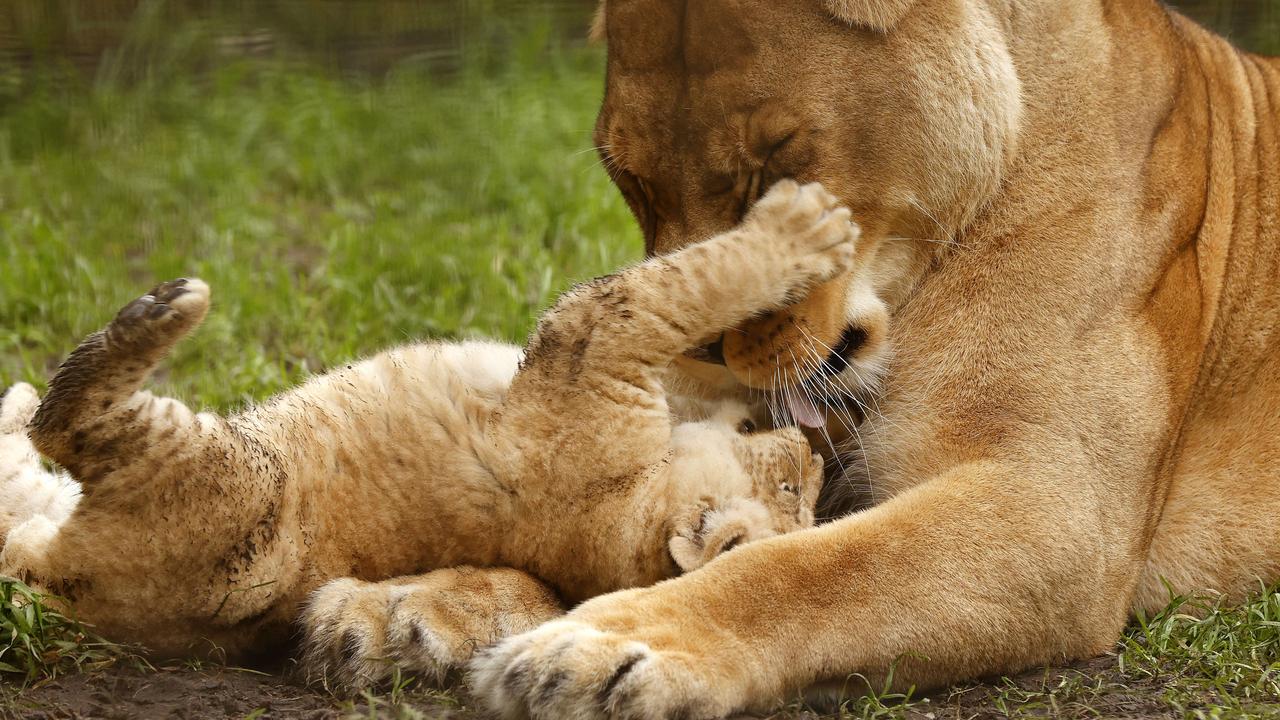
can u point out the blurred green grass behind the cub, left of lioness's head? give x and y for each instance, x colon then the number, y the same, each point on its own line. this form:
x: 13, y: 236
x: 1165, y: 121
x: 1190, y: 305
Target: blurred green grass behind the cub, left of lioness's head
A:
x: 332, y: 216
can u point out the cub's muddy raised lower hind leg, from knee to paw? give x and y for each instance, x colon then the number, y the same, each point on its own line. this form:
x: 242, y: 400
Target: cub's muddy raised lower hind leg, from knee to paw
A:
x: 95, y: 417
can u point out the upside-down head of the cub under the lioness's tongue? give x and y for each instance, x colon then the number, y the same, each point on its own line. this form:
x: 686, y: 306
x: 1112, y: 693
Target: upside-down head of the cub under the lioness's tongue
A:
x: 733, y: 484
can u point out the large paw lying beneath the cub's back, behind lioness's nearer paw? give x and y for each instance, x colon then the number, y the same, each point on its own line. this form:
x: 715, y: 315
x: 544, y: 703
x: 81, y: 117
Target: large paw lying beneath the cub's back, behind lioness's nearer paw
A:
x: 358, y: 634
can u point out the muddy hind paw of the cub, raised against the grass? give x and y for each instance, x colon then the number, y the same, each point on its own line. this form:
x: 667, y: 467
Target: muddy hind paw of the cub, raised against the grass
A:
x: 161, y: 317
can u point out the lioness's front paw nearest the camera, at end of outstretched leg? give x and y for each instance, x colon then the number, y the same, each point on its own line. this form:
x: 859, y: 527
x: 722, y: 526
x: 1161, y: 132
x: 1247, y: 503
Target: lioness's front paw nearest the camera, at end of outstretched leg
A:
x: 568, y: 669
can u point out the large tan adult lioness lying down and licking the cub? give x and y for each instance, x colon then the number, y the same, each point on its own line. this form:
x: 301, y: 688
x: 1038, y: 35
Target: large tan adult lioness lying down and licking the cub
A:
x: 1072, y: 212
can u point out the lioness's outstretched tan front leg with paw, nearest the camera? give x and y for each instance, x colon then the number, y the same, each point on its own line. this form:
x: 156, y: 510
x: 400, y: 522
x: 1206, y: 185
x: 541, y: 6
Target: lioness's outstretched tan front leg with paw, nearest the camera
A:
x: 925, y: 586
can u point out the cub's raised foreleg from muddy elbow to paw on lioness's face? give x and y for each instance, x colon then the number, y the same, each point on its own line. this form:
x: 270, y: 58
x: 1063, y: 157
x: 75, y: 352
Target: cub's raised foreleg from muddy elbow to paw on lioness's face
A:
x: 793, y: 240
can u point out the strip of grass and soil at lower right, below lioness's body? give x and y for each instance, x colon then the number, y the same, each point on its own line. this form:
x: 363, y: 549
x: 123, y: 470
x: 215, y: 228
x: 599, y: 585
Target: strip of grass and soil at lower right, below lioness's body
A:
x: 1199, y: 658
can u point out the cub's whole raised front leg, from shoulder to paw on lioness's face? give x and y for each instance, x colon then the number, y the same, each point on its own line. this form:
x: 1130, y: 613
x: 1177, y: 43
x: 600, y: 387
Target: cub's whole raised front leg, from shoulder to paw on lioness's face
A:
x: 602, y: 350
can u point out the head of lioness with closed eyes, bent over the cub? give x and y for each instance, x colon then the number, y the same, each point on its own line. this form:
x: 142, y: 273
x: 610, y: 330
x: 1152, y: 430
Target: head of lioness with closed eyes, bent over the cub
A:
x: 908, y: 111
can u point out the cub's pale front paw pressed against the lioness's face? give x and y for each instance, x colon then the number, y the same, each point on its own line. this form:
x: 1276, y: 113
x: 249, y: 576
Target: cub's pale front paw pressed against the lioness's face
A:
x: 808, y: 229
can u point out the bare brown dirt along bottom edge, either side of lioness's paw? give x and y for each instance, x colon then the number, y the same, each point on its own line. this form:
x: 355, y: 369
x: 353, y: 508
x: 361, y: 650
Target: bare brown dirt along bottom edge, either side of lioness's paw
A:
x: 1091, y: 690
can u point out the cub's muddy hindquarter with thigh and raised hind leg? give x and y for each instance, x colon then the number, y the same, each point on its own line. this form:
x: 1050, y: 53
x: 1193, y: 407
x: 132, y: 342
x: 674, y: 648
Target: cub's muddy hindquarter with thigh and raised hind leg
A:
x: 190, y: 518
